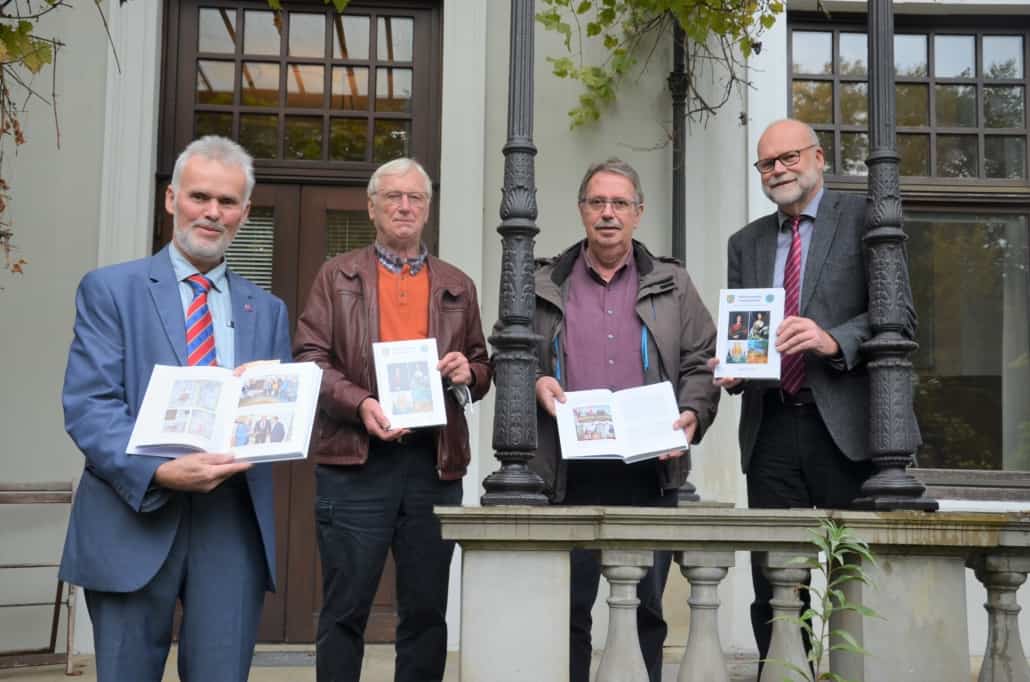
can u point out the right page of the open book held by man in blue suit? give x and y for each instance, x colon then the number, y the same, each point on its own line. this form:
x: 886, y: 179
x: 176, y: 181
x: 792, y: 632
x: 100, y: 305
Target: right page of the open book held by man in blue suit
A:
x: 273, y: 417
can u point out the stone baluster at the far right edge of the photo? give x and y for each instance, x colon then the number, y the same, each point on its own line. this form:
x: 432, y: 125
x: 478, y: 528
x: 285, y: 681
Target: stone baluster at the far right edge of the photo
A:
x: 1005, y: 660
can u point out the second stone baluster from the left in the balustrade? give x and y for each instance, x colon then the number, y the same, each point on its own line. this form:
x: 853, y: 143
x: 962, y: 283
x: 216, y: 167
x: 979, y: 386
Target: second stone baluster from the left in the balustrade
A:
x: 703, y: 659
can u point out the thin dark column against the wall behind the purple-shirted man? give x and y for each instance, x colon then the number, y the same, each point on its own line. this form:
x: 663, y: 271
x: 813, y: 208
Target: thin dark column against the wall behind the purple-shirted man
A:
x: 678, y: 89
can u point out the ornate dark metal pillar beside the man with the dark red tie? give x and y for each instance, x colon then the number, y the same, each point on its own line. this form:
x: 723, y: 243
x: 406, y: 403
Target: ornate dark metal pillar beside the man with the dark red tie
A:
x: 892, y: 439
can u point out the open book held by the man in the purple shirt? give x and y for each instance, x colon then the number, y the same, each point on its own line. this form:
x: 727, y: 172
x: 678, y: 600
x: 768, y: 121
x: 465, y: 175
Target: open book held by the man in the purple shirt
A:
x: 631, y: 425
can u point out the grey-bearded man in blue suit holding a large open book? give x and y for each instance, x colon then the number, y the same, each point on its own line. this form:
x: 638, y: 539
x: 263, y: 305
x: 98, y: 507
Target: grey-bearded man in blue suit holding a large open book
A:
x: 146, y: 532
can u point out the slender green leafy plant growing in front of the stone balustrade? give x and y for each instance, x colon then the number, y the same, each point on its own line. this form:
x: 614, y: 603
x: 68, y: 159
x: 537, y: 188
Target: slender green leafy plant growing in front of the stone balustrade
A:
x: 842, y: 556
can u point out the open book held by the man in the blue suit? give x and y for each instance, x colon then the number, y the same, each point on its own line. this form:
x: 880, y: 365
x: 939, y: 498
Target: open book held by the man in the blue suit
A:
x: 264, y: 416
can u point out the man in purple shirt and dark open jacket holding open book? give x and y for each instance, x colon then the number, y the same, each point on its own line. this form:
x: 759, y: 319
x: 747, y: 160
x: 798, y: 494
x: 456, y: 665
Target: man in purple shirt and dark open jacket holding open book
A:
x: 613, y: 316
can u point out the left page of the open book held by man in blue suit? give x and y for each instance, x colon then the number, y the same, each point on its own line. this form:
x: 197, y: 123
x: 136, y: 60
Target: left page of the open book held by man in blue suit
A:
x: 181, y: 408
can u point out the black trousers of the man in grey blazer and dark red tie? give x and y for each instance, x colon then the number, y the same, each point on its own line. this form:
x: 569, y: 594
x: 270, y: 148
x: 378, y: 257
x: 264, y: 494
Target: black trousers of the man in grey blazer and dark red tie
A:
x: 795, y: 464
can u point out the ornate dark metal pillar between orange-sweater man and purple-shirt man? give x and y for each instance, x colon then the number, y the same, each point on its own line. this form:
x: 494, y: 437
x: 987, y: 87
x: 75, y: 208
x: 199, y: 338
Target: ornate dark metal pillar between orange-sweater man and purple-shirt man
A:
x: 516, y: 360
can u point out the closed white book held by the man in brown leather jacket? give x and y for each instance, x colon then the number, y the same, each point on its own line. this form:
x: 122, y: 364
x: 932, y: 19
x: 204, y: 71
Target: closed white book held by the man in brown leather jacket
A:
x: 410, y: 388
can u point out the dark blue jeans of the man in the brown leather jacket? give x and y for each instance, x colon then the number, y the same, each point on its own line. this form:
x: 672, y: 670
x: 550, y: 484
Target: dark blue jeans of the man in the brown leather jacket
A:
x: 362, y: 513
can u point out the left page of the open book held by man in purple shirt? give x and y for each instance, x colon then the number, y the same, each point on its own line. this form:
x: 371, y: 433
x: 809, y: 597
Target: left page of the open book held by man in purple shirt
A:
x: 587, y: 426
